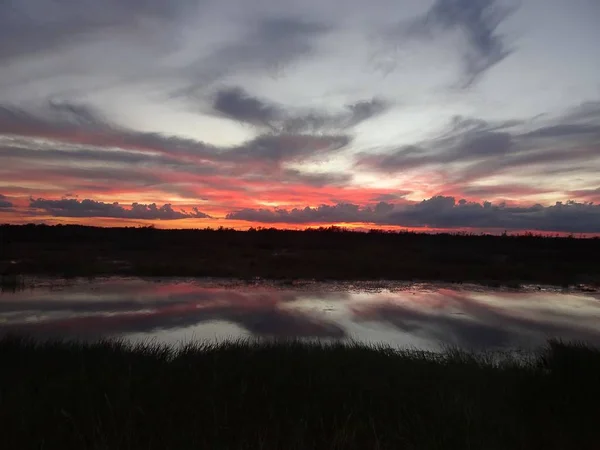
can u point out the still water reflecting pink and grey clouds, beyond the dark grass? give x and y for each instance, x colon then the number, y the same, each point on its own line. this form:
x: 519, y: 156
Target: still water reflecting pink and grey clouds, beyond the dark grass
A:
x: 407, y: 315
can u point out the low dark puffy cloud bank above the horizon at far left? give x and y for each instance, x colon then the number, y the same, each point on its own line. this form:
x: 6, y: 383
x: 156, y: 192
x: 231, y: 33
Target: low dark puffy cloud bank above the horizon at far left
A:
x: 92, y: 208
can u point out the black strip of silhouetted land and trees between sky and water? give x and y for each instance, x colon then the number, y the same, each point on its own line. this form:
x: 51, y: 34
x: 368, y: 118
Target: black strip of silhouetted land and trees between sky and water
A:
x: 325, y: 254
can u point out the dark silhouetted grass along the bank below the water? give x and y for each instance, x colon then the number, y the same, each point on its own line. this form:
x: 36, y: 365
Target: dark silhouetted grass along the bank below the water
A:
x: 294, y: 396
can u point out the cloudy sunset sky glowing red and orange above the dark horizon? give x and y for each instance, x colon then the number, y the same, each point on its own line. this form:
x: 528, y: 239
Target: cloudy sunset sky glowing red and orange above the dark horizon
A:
x: 479, y: 115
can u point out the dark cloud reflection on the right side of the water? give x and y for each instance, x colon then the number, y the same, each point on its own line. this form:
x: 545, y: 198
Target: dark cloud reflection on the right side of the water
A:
x: 478, y: 325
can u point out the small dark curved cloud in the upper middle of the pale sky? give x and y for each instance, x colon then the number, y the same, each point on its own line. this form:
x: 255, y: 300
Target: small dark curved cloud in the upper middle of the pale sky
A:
x: 237, y: 104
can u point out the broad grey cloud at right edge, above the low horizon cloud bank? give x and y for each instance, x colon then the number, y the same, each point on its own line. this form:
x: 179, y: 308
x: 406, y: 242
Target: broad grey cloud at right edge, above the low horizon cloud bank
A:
x: 483, y: 149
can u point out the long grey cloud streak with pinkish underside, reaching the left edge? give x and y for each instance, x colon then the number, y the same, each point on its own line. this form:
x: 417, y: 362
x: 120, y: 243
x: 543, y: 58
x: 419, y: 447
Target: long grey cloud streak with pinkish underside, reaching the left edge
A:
x: 80, y: 124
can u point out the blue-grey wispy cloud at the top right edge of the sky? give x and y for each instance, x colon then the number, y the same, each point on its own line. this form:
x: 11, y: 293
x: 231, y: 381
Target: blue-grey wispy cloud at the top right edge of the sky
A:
x: 477, y: 20
